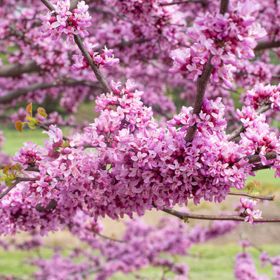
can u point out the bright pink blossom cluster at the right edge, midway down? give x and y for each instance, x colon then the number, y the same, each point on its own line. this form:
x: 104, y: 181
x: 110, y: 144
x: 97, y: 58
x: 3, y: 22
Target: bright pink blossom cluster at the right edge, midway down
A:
x: 257, y: 135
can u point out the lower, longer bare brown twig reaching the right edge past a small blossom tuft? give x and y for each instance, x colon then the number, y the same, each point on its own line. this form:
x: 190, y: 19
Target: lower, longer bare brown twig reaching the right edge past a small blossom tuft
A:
x: 185, y: 216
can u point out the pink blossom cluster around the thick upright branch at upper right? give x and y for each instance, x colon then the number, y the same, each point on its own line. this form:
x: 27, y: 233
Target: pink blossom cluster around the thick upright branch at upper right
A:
x: 226, y: 40
